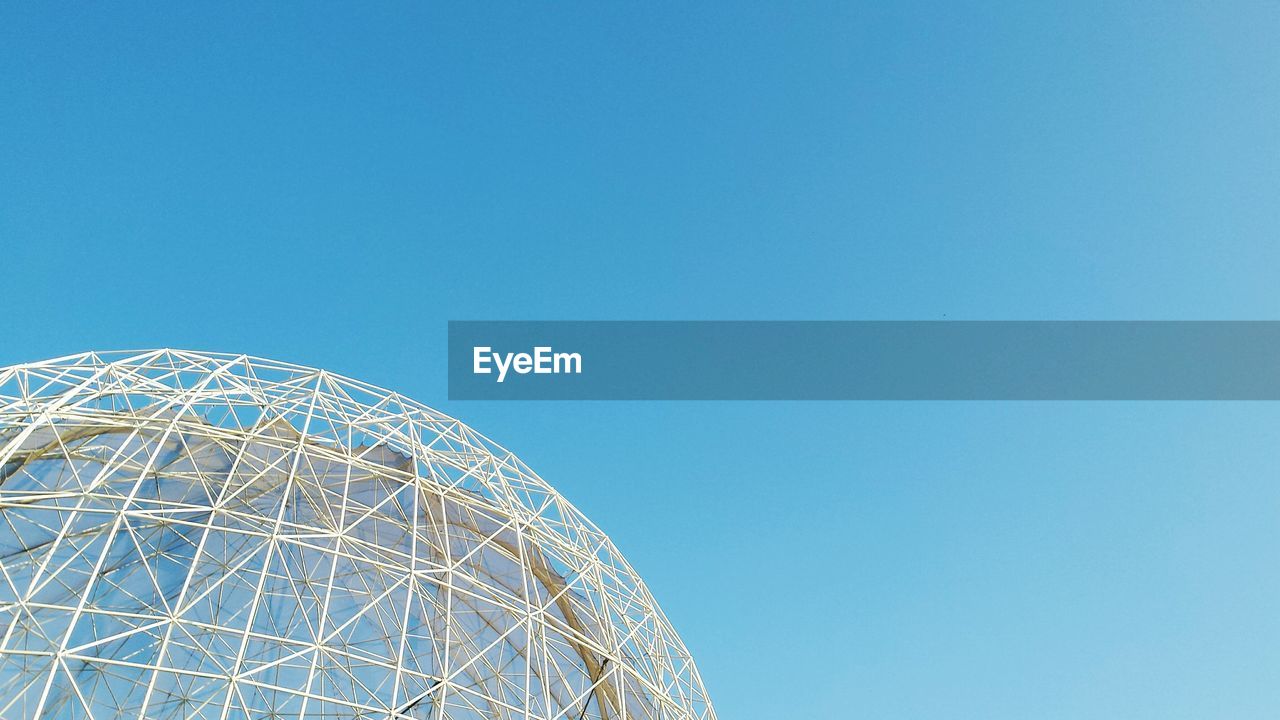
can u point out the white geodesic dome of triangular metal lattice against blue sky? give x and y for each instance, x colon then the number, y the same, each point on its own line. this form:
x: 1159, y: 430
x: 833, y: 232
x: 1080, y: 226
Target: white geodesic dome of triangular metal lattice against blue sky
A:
x: 221, y: 537
